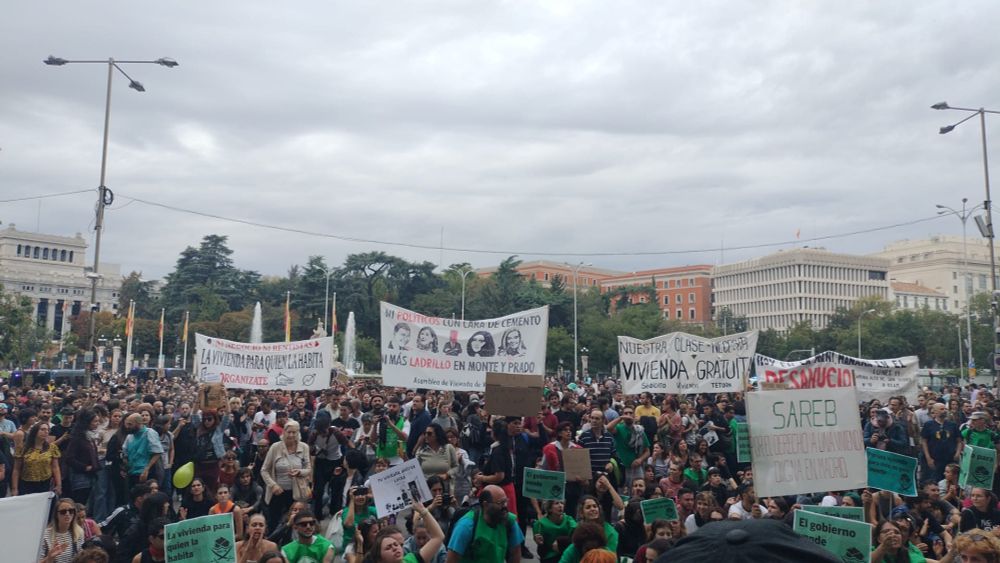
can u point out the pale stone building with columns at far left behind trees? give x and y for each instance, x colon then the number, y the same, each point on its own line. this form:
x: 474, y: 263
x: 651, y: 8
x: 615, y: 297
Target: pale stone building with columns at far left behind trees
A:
x: 52, y: 271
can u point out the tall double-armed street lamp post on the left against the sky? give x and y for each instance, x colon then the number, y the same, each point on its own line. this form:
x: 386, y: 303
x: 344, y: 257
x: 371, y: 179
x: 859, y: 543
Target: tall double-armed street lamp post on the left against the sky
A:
x: 104, y: 196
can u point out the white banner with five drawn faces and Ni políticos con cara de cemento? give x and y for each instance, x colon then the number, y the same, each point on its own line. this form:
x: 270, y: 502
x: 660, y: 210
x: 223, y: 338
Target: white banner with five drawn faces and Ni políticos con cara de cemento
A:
x: 451, y: 354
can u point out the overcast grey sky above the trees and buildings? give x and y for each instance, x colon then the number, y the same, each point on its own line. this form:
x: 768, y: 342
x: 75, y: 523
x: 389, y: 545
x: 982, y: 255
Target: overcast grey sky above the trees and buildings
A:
x: 531, y: 127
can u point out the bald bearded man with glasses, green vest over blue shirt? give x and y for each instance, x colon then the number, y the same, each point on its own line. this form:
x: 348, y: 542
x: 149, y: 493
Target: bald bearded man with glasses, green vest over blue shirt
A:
x: 487, y: 533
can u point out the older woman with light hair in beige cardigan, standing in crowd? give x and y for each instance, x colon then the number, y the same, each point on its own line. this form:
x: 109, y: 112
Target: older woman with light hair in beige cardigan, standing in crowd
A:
x: 286, y: 472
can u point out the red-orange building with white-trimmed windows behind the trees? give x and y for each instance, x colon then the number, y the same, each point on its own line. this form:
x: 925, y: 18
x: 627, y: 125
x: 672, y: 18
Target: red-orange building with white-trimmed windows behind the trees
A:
x: 682, y: 293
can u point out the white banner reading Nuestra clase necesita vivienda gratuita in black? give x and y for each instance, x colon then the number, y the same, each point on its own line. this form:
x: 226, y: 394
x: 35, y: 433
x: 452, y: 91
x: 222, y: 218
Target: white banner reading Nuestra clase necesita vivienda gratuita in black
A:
x: 686, y: 364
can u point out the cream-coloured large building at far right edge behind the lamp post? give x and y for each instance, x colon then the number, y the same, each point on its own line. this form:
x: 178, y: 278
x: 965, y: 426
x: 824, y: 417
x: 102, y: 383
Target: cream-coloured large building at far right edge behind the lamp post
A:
x: 938, y: 263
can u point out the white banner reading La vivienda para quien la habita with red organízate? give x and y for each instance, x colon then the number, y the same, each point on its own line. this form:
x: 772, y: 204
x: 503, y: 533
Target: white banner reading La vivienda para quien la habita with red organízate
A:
x: 304, y: 364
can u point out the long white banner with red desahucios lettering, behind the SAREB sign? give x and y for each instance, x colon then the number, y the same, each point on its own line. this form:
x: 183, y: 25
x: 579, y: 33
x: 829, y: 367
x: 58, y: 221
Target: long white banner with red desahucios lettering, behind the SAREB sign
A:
x: 873, y: 379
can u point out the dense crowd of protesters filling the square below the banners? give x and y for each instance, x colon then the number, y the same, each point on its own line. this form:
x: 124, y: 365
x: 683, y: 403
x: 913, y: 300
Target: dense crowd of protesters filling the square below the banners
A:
x: 293, y: 469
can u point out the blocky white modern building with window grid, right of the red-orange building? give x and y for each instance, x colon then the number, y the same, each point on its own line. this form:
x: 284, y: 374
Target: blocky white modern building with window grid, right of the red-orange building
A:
x: 792, y: 286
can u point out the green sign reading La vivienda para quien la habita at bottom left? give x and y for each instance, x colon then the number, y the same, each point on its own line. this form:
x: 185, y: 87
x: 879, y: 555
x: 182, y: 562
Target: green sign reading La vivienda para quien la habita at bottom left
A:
x: 208, y: 539
